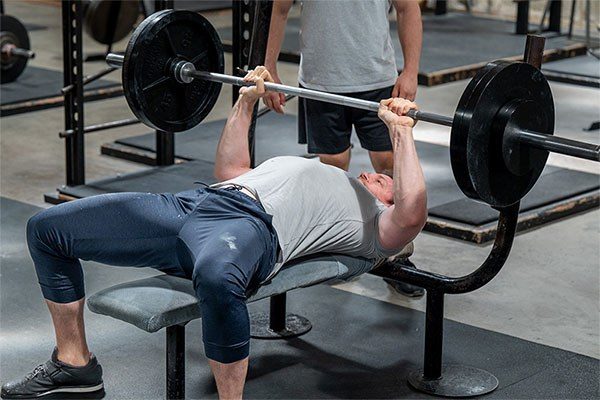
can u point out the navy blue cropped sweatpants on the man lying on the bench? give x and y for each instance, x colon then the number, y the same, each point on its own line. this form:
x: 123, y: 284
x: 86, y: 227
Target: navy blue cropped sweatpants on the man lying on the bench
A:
x: 221, y: 239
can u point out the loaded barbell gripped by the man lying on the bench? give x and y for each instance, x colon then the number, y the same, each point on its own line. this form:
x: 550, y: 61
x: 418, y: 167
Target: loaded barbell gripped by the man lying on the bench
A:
x: 502, y: 129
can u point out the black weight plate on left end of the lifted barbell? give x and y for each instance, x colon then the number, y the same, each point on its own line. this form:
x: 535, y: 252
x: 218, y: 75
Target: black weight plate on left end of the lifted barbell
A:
x: 153, y: 94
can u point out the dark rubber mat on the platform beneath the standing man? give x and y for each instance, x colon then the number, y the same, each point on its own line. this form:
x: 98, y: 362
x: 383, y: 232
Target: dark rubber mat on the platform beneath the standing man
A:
x: 276, y: 136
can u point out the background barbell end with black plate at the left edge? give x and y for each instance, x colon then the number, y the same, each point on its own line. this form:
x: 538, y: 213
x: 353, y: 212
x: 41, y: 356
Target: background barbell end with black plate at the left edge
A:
x: 14, y: 48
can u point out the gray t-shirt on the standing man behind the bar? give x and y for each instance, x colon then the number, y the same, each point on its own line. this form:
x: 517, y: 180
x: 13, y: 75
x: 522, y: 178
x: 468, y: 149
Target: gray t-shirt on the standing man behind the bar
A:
x: 346, y: 46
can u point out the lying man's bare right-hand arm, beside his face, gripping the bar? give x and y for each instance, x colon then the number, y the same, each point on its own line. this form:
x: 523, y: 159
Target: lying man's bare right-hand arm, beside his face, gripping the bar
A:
x: 402, y: 222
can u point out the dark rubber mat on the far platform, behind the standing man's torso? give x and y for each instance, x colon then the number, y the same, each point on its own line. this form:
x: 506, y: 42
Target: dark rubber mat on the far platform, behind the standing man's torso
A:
x: 452, y: 41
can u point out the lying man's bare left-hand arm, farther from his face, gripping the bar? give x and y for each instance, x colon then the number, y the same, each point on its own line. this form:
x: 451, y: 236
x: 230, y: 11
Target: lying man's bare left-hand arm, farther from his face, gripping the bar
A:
x: 233, y: 155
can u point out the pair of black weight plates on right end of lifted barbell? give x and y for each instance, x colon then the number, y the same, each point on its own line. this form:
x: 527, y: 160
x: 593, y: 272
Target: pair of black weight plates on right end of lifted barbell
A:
x: 478, y: 132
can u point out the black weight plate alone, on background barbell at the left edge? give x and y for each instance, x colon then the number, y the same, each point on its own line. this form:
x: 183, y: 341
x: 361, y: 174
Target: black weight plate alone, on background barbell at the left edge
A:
x: 12, y: 31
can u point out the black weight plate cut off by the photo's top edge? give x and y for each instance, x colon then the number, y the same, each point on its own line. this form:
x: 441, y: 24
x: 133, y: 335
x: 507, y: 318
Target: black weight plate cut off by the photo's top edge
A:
x: 98, y: 19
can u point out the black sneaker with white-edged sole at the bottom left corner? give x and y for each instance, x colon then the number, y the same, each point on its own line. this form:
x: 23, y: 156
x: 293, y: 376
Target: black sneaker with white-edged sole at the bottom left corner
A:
x: 55, y: 379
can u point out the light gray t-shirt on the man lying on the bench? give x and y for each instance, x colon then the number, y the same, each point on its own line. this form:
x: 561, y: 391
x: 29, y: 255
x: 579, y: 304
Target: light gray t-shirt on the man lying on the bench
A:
x: 316, y: 208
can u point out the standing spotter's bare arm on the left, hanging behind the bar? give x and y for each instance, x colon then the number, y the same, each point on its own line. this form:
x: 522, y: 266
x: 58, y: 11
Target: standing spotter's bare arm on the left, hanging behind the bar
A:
x: 281, y: 8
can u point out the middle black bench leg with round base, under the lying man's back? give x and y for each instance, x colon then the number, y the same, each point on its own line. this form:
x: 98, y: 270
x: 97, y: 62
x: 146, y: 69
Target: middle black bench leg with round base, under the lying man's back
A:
x: 277, y: 324
